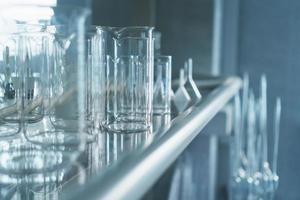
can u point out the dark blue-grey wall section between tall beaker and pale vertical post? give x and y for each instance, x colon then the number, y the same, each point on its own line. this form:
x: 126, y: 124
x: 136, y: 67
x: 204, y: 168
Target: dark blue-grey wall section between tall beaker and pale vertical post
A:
x: 186, y: 28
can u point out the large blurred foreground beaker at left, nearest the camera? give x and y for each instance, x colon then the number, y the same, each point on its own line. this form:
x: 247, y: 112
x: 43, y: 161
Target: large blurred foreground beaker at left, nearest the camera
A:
x: 50, y: 90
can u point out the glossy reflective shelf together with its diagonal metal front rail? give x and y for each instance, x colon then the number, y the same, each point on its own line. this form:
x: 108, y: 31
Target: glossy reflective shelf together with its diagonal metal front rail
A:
x: 125, y: 166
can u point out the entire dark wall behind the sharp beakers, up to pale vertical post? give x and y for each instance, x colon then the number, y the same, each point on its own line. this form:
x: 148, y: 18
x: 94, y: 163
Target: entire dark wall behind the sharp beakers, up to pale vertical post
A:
x: 186, y: 26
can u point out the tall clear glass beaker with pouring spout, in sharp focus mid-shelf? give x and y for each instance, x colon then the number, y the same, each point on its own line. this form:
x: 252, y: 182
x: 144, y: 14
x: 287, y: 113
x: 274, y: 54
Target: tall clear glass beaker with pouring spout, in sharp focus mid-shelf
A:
x: 128, y: 58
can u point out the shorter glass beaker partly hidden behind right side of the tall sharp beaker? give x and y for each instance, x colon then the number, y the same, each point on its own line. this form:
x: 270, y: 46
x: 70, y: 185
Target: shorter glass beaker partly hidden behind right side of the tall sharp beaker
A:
x: 162, y: 85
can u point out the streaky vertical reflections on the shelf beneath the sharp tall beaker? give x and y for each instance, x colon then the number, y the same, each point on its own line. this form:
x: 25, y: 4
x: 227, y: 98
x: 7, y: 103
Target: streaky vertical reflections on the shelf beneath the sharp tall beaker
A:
x: 110, y: 147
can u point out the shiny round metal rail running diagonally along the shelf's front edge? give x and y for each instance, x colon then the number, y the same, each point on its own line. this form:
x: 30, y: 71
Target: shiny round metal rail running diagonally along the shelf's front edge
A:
x: 133, y: 176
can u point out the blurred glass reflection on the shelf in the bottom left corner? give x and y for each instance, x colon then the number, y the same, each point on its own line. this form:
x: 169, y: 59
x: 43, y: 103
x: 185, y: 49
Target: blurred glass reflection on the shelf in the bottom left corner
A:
x: 38, y: 186
